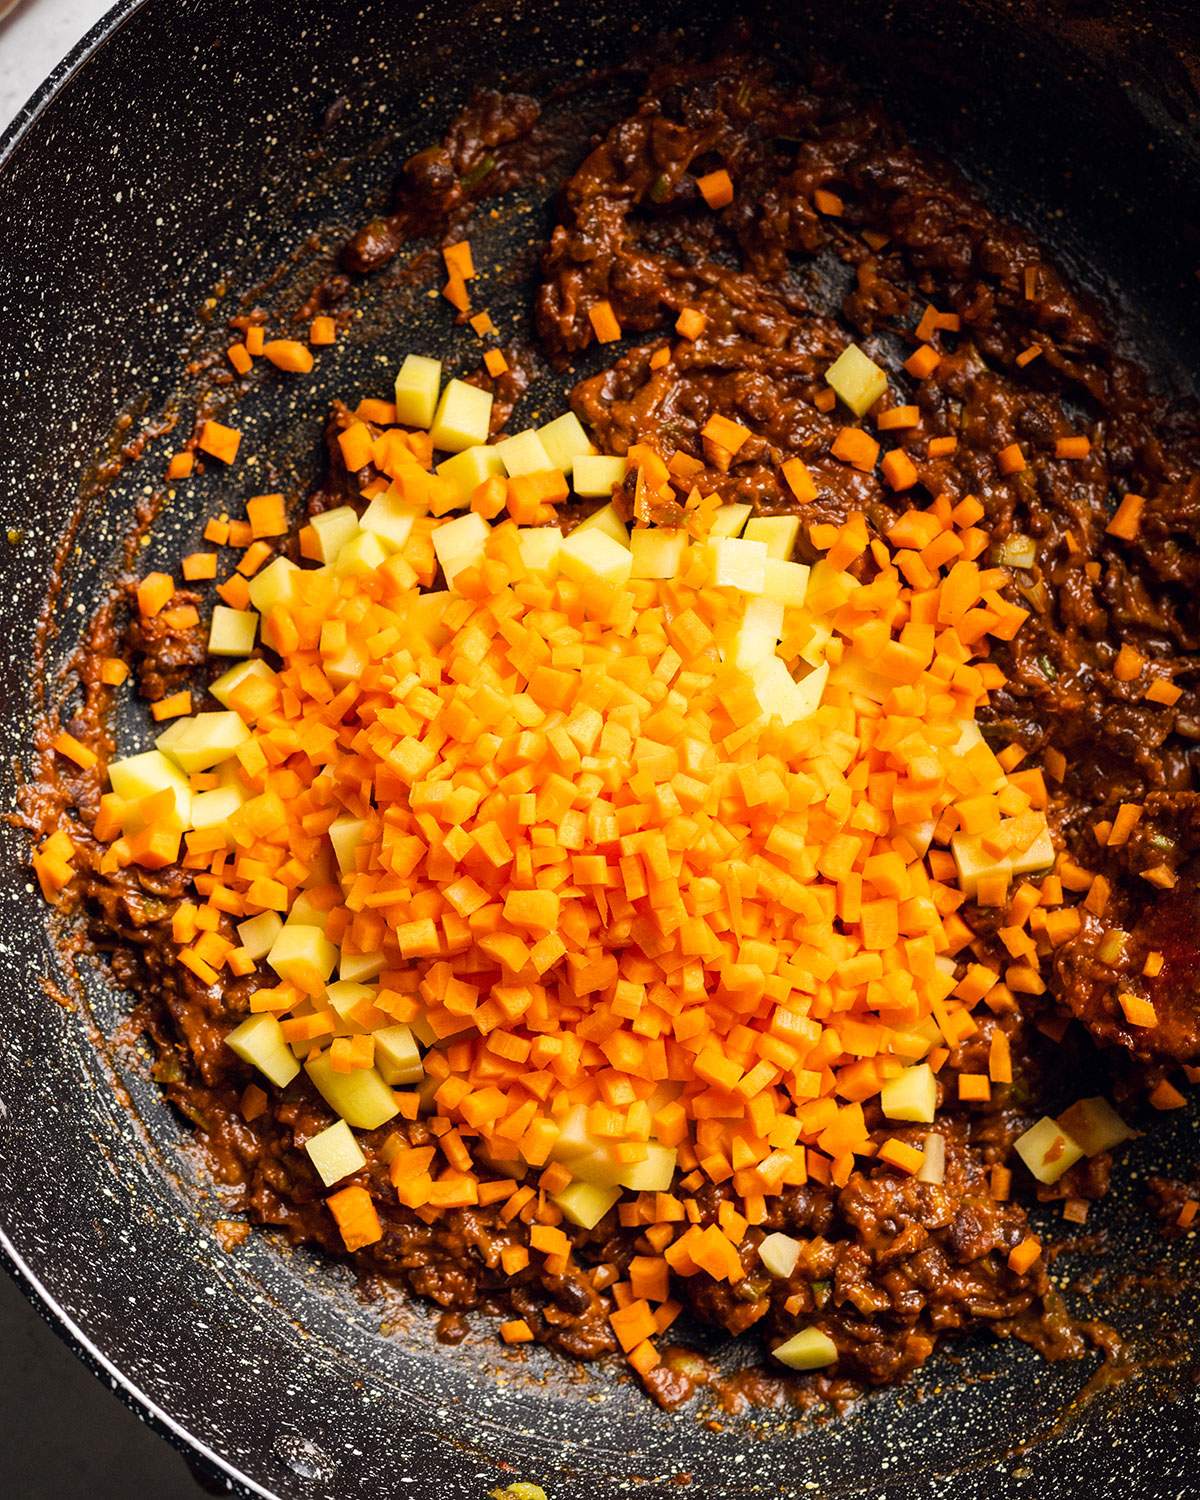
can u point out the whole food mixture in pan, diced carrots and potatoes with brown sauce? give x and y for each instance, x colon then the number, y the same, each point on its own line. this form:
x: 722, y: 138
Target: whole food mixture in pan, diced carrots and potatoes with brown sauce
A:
x: 650, y: 860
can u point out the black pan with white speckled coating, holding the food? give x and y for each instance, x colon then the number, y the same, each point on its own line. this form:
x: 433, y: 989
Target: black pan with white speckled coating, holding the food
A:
x: 182, y: 157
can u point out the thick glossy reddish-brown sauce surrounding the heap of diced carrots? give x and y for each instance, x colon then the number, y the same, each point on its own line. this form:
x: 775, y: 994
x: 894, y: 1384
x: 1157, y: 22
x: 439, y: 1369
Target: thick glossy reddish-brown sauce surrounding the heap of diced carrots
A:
x: 893, y: 1267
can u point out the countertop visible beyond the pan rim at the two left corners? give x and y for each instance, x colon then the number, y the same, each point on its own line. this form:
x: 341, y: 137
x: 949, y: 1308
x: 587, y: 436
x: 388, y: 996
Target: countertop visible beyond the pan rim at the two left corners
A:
x: 67, y: 1436
